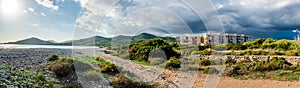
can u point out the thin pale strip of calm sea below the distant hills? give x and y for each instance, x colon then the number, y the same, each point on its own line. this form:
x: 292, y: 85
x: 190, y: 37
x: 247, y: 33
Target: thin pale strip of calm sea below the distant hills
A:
x: 16, y: 46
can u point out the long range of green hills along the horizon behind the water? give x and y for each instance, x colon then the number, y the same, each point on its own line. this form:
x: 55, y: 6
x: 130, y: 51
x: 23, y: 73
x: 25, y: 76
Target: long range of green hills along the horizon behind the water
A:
x: 96, y: 40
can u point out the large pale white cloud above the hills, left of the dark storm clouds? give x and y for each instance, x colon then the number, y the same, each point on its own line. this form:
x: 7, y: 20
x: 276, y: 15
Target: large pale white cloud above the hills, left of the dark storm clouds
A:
x: 130, y: 16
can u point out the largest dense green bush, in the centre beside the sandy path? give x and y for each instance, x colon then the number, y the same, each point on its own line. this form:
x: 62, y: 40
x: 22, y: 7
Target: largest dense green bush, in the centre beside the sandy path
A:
x: 155, y: 48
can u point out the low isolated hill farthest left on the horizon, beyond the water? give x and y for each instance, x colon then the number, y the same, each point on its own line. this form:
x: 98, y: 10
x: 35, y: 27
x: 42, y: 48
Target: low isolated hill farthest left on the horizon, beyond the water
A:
x: 32, y: 41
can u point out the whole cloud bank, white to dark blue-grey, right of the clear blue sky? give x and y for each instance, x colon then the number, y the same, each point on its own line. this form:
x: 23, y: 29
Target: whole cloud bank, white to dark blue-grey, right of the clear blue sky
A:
x: 258, y: 18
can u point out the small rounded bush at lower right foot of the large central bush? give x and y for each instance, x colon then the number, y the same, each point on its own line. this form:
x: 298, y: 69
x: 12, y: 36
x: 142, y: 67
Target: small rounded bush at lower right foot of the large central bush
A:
x: 173, y: 63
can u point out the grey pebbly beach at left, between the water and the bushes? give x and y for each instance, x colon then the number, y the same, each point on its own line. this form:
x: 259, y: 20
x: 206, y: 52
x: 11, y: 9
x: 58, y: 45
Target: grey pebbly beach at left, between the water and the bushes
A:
x: 19, y: 67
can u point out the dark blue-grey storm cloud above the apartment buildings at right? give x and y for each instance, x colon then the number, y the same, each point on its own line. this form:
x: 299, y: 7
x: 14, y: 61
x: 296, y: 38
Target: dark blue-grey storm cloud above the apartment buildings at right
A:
x: 260, y: 18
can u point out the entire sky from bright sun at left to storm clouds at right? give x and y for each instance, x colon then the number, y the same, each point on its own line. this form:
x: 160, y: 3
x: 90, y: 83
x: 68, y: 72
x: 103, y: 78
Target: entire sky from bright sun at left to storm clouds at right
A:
x: 62, y: 20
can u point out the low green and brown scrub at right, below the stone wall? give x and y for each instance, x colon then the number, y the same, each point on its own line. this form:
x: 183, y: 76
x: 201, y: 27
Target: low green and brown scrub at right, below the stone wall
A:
x: 276, y: 68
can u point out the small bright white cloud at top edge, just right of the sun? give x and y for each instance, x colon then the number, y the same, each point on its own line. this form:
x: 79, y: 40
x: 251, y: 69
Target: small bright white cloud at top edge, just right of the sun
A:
x: 48, y: 4
